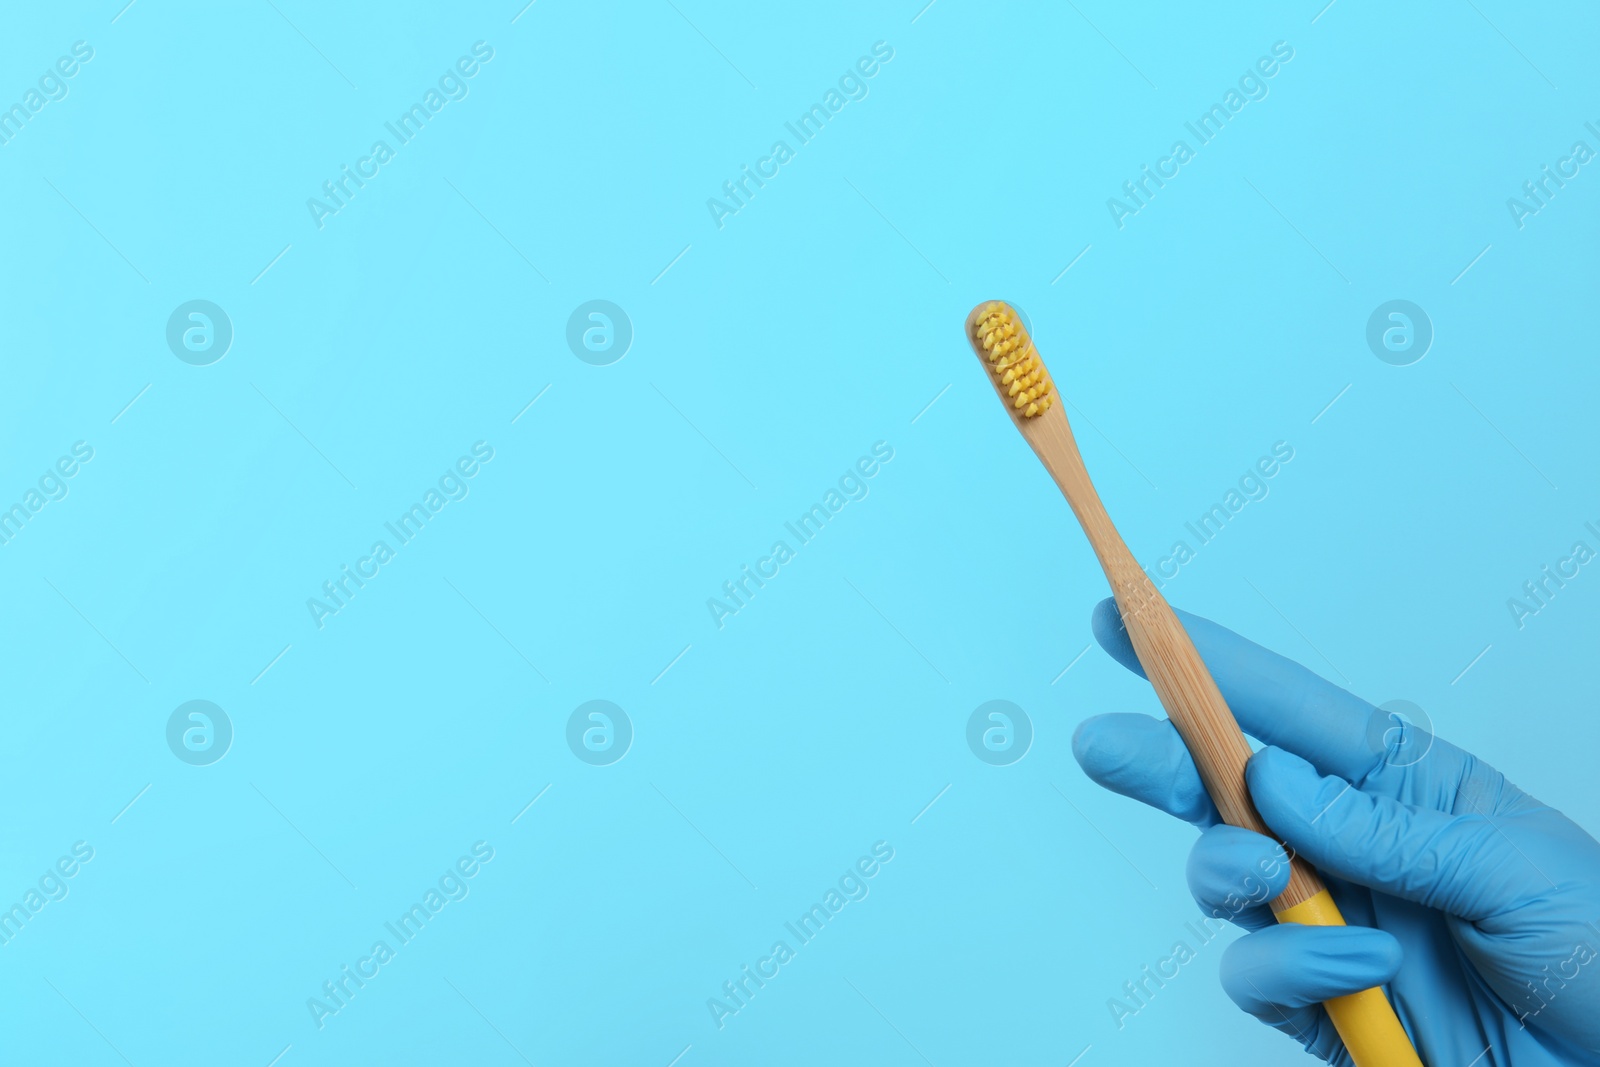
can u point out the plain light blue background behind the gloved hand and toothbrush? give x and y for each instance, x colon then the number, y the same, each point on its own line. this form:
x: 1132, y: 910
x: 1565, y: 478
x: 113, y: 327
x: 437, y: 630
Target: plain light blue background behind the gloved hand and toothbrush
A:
x: 774, y: 353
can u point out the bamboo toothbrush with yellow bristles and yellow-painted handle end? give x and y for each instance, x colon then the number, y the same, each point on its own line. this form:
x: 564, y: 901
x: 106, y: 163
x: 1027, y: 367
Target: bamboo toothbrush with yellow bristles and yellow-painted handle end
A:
x: 1367, y: 1023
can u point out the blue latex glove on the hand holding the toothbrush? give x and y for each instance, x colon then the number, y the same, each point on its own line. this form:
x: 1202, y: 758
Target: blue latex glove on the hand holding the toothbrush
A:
x: 1476, y: 906
